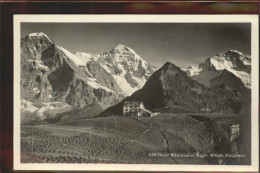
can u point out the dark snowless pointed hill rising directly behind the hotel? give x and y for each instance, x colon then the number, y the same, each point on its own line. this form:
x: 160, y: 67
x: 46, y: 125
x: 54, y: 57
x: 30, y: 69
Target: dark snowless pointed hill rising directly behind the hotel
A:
x: 170, y: 87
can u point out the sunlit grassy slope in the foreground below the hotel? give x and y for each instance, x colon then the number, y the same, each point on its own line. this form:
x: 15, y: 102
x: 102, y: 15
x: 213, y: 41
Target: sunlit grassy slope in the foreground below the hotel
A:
x: 118, y: 139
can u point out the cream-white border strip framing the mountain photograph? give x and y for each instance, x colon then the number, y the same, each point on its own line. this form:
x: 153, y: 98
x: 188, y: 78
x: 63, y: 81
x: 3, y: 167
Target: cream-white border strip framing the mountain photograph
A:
x: 253, y: 19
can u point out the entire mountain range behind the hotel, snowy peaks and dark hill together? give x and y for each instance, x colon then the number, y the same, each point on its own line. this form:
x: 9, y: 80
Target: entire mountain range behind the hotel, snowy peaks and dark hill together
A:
x: 55, y: 81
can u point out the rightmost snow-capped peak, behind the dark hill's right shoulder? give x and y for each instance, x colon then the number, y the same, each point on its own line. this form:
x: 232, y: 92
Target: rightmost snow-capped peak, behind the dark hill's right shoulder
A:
x: 233, y: 61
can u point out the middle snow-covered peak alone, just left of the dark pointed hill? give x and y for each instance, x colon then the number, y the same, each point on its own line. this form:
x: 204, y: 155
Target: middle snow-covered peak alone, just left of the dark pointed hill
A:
x: 128, y: 69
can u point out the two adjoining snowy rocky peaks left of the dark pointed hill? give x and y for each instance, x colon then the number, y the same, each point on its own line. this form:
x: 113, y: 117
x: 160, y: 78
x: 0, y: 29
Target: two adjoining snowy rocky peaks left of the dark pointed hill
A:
x: 50, y: 73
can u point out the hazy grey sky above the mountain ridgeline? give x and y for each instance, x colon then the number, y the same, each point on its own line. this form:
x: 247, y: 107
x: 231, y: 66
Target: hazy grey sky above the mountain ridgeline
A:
x: 157, y: 43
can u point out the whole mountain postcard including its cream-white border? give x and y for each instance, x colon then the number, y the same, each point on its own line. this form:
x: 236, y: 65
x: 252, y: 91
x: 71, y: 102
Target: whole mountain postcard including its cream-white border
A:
x: 136, y: 92
